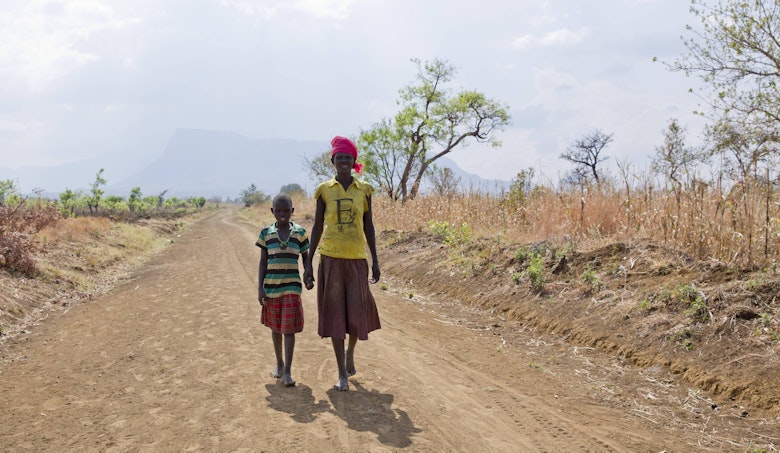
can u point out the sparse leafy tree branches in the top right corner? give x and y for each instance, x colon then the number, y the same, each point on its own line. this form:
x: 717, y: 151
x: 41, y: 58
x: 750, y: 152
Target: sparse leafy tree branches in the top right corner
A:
x: 736, y: 53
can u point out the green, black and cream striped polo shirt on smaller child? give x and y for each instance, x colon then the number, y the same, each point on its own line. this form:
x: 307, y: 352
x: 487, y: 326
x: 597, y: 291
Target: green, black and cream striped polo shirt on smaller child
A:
x: 282, y: 275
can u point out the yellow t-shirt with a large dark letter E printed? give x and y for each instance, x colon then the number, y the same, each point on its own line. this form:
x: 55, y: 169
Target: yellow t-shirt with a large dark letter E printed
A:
x: 343, y: 236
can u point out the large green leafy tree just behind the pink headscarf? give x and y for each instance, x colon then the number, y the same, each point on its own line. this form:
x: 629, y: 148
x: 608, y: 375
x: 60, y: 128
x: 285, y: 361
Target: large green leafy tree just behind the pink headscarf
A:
x: 432, y: 122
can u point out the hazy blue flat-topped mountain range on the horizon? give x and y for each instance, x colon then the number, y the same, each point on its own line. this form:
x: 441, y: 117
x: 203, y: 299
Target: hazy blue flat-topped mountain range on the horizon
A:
x: 206, y: 163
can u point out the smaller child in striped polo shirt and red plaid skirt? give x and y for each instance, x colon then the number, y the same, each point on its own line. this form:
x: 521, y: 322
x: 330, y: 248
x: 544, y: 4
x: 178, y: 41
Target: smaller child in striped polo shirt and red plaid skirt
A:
x: 279, y: 290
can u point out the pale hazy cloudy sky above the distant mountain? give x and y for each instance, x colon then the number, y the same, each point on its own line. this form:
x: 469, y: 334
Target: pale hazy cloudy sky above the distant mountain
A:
x: 87, y: 78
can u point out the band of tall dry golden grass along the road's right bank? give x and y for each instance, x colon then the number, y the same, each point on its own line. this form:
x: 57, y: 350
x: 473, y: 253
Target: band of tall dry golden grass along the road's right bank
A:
x: 739, y: 227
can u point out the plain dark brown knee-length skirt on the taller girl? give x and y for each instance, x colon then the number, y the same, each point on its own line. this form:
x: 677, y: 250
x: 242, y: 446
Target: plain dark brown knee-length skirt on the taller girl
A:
x: 345, y: 304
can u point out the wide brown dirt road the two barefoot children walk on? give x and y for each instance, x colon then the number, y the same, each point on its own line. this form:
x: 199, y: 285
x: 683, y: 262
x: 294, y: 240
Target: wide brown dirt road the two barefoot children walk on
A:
x: 175, y: 359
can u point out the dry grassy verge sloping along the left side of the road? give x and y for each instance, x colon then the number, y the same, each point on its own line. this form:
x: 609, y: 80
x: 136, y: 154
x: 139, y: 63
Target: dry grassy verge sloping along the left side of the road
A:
x: 84, y: 258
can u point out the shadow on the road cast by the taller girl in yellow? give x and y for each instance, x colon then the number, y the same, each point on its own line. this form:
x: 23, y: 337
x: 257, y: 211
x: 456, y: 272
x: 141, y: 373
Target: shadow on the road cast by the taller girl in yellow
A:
x: 372, y: 411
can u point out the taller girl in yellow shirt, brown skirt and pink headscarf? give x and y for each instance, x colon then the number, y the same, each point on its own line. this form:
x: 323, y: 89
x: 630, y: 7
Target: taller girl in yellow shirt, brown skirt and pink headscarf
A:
x: 344, y: 224
